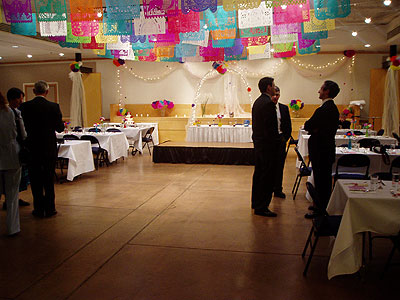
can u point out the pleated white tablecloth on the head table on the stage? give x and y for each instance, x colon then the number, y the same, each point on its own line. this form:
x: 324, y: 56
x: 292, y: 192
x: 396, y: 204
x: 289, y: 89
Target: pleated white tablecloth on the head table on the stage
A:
x: 224, y: 134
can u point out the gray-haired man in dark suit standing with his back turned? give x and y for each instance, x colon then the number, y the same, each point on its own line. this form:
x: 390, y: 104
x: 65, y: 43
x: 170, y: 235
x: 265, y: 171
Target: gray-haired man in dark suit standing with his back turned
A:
x: 42, y: 119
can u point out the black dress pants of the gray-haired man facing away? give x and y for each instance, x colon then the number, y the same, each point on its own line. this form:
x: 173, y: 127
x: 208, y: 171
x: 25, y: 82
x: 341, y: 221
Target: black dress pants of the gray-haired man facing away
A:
x: 41, y: 174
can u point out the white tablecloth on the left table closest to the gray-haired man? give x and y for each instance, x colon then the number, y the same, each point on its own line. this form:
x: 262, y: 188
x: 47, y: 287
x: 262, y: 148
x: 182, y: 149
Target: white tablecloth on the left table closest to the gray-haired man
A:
x: 80, y: 159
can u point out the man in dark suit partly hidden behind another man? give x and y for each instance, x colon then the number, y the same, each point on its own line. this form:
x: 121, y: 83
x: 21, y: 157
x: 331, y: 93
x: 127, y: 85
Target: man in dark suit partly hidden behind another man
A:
x: 285, y: 131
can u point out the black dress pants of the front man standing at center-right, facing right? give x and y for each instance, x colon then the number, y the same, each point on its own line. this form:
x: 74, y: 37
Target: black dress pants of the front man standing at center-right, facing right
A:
x: 263, y: 177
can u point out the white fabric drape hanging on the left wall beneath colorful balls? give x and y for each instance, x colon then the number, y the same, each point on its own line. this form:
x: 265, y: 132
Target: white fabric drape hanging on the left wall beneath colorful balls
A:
x: 78, y: 101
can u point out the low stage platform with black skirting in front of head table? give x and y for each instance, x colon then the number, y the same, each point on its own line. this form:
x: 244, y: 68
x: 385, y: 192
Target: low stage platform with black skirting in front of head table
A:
x: 204, y: 153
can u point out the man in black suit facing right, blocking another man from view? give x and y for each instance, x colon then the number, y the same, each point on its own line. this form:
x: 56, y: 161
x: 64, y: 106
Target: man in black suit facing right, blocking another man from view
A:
x: 266, y: 140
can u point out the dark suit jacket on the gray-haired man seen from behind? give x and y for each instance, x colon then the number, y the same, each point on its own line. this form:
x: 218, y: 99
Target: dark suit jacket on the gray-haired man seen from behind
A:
x: 42, y: 119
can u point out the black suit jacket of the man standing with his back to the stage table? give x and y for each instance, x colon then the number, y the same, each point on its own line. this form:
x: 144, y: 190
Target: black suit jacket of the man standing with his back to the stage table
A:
x: 264, y: 123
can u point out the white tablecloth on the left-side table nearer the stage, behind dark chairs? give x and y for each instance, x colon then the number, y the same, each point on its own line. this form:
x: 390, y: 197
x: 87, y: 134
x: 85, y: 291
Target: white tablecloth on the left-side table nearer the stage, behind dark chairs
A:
x: 115, y: 143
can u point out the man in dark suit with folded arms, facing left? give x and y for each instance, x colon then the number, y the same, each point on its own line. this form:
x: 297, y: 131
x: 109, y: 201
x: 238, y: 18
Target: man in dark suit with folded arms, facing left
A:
x: 321, y: 146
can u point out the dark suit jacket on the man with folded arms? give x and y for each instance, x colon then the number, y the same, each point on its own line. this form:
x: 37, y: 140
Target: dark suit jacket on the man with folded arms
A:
x: 322, y: 126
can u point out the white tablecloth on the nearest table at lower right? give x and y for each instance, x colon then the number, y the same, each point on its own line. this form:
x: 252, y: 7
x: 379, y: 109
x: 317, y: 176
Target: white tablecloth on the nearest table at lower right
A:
x: 377, y: 212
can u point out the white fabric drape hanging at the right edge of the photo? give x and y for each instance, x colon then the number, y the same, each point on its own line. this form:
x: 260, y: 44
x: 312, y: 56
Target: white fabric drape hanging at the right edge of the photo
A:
x: 390, y: 122
